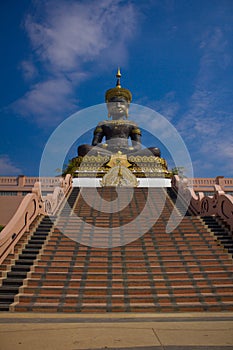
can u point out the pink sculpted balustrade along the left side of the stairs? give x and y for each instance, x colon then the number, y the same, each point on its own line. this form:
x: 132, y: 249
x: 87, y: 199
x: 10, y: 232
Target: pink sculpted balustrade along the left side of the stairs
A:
x: 31, y: 206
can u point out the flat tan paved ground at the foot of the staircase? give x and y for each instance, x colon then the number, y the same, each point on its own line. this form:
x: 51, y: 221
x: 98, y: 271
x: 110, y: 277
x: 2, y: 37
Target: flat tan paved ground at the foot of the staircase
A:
x: 183, y: 331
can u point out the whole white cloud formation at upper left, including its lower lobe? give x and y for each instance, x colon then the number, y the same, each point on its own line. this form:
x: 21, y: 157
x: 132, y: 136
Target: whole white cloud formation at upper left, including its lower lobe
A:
x: 66, y: 38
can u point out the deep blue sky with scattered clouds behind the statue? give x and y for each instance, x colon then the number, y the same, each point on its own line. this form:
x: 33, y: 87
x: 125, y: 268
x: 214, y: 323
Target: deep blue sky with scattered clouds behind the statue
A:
x: 60, y: 56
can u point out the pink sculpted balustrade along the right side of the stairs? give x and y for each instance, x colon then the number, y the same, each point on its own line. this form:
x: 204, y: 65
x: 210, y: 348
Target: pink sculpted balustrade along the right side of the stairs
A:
x: 220, y: 204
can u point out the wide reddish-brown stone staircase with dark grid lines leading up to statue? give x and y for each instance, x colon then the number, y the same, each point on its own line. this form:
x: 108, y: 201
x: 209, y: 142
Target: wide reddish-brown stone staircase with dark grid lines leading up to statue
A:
x: 185, y: 270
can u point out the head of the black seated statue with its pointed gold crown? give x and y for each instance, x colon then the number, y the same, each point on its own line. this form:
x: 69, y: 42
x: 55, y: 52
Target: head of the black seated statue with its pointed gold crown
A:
x: 118, y: 100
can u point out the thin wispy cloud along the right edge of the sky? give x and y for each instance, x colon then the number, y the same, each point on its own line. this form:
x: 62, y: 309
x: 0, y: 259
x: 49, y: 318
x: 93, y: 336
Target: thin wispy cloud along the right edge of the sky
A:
x: 206, y: 128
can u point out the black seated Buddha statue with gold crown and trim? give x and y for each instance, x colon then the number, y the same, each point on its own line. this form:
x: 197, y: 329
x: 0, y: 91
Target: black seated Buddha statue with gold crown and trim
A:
x: 118, y: 130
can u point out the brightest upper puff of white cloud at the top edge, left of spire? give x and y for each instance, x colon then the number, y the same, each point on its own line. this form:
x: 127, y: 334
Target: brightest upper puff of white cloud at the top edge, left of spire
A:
x: 72, y: 33
